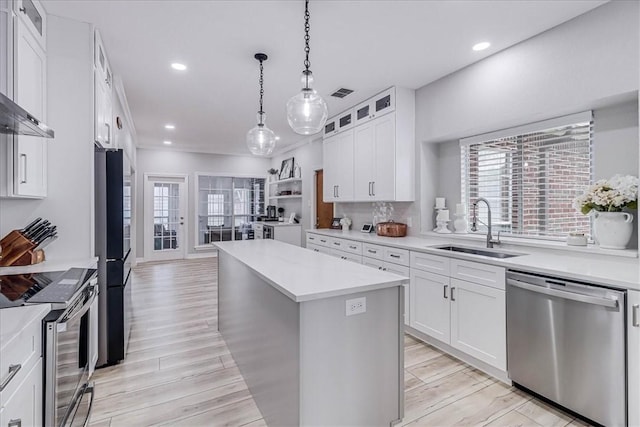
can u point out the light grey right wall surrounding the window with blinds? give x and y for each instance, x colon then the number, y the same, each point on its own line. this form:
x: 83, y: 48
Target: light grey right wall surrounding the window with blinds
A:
x: 590, y: 62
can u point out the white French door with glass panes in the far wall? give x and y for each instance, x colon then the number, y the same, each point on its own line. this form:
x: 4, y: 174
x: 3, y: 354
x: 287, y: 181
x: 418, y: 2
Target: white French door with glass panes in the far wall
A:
x: 165, y: 219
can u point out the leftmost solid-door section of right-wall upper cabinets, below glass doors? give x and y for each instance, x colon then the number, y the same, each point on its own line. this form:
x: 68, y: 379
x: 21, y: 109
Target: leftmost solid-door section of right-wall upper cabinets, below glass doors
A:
x: 338, y: 167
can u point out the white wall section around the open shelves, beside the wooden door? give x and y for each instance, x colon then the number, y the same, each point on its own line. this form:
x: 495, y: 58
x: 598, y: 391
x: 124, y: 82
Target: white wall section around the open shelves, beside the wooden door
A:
x: 307, y: 155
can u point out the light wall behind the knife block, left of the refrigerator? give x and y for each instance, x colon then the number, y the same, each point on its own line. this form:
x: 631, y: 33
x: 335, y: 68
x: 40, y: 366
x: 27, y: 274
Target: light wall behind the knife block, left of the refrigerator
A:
x: 69, y: 203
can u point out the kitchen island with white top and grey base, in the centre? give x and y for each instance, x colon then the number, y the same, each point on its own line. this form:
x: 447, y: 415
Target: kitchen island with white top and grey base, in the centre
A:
x: 318, y: 340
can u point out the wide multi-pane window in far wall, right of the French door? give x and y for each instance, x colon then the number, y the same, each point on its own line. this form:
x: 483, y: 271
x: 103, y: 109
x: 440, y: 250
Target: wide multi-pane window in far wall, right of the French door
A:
x: 227, y: 206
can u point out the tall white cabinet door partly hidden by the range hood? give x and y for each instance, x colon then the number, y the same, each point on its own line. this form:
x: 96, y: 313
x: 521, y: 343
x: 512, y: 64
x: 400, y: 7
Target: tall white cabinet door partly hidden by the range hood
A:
x: 29, y: 152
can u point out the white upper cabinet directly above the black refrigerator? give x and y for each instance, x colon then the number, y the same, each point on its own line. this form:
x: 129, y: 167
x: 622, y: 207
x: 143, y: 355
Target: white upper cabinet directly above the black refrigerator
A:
x: 103, y: 95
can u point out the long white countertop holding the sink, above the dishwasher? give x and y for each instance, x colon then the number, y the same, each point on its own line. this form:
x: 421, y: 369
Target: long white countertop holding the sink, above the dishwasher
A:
x: 622, y: 272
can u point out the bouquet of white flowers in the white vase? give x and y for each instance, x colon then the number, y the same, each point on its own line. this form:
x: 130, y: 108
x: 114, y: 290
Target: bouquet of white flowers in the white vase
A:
x: 609, y: 195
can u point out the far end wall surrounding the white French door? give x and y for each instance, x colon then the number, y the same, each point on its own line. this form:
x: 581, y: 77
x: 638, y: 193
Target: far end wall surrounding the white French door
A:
x: 177, y: 162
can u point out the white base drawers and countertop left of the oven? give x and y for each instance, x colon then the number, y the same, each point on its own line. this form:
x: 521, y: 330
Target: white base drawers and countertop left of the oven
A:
x: 21, y: 371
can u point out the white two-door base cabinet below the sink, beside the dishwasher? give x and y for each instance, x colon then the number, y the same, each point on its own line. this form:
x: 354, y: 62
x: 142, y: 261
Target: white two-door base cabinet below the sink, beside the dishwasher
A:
x: 462, y: 305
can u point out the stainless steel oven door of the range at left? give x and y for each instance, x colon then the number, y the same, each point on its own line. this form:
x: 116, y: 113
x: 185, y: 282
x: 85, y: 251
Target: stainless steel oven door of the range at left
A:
x: 67, y: 358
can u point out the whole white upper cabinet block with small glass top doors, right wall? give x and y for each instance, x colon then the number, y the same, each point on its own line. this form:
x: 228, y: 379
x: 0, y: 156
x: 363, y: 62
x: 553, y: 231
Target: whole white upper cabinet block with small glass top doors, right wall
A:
x: 381, y: 166
